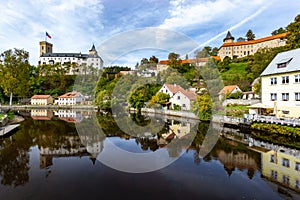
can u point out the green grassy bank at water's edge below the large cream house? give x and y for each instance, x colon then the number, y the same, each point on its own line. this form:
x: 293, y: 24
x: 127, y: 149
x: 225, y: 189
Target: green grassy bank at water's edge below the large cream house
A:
x: 277, y: 134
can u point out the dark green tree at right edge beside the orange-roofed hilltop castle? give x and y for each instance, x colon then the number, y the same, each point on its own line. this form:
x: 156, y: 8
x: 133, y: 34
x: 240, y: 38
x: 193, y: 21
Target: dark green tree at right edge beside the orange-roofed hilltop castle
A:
x: 293, y: 37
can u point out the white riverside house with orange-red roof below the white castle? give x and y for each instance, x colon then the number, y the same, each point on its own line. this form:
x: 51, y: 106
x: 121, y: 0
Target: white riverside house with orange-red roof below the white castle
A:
x: 70, y: 98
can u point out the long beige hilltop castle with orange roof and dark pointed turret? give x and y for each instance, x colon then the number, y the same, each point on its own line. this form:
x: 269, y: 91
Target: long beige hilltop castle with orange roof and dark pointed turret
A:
x: 241, y: 49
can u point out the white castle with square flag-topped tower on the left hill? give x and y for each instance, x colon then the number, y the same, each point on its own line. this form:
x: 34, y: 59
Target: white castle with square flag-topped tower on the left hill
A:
x: 75, y: 60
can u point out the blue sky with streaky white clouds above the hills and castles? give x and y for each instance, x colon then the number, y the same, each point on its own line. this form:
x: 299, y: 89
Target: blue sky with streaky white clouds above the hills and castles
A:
x: 125, y: 31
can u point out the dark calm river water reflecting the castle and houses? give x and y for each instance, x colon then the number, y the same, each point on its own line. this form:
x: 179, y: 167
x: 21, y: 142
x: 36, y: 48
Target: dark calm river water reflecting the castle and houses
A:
x: 51, y: 157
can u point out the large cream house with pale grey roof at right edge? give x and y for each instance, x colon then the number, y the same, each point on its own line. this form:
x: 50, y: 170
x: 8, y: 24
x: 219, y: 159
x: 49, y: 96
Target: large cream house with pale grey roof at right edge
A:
x: 280, y: 84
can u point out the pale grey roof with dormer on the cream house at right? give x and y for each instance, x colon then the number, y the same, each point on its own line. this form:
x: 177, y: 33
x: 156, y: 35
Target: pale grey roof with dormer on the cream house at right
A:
x: 290, y: 58
